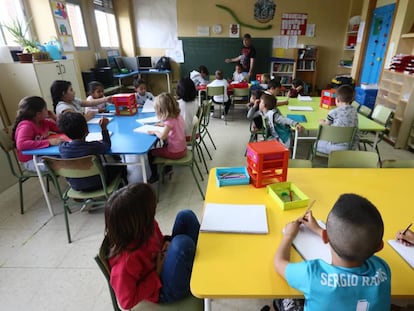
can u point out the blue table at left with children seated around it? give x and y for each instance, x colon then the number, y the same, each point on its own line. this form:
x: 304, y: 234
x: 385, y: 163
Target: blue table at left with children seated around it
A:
x: 123, y: 141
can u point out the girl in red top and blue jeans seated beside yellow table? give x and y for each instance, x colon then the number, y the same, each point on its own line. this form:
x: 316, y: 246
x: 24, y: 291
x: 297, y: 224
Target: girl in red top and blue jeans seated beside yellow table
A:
x: 144, y: 263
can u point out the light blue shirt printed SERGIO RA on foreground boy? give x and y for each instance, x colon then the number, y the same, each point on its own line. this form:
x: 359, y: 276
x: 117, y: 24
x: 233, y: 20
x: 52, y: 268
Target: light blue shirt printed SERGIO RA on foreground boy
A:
x: 327, y: 287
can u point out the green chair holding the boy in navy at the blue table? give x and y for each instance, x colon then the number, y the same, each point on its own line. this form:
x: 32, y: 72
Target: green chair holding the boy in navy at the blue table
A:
x: 80, y: 168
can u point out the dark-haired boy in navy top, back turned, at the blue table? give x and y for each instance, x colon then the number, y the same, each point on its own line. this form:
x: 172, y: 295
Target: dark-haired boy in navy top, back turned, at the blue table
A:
x: 74, y: 125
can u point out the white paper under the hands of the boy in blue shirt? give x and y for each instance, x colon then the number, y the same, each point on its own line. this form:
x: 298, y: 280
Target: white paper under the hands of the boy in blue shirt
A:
x: 311, y: 246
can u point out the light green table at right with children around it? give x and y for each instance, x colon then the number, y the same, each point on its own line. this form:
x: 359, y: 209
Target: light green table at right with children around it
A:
x: 313, y: 117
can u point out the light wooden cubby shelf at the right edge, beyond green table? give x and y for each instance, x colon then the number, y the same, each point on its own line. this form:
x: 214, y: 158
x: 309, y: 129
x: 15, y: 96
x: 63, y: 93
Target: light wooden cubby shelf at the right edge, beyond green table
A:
x: 396, y: 91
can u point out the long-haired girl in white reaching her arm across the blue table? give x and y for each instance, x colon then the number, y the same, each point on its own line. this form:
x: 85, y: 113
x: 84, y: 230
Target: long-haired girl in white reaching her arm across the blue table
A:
x: 63, y: 97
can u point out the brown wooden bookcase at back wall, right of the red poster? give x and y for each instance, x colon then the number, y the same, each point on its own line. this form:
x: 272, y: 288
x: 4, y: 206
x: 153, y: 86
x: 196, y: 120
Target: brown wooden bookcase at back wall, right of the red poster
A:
x: 306, y: 67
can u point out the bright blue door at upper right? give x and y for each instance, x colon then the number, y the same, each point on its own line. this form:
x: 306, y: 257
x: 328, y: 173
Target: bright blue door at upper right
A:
x: 378, y: 38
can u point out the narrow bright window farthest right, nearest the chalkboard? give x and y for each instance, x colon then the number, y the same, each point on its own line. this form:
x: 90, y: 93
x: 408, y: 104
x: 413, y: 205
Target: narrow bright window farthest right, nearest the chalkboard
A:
x: 105, y: 20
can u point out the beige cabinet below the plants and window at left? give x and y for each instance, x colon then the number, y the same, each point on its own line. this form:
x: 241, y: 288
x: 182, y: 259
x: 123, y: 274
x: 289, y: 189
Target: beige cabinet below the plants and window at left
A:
x: 19, y: 80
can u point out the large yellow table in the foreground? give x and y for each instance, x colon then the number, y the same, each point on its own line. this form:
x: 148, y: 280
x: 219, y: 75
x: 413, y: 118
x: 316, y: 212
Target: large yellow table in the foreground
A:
x: 241, y: 265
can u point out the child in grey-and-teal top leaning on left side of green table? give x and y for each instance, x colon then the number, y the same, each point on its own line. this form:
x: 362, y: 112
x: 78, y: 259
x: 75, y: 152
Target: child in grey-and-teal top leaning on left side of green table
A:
x: 277, y: 125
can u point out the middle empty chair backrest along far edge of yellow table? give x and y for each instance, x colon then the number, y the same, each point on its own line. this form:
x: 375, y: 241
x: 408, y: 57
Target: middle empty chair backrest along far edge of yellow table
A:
x: 353, y: 158
